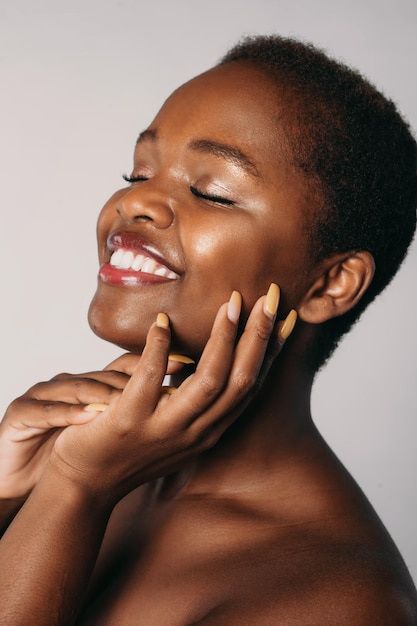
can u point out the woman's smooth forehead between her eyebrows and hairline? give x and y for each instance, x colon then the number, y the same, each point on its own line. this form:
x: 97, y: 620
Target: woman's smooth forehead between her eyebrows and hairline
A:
x: 236, y: 104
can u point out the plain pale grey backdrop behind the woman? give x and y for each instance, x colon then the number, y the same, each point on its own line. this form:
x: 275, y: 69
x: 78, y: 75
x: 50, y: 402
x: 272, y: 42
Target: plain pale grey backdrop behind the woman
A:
x: 78, y: 81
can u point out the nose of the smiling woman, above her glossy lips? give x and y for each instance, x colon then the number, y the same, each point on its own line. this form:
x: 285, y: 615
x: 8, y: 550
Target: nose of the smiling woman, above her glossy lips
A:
x: 144, y: 204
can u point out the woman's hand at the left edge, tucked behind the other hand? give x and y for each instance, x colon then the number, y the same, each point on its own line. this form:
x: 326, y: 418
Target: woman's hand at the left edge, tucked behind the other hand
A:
x: 33, y: 421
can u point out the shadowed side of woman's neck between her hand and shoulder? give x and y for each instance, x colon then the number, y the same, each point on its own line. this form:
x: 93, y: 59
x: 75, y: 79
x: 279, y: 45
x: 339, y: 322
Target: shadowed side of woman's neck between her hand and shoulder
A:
x: 275, y: 424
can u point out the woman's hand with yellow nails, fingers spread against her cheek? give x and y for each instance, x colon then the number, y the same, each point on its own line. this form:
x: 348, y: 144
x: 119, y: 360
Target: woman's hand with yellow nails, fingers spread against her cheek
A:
x: 144, y: 435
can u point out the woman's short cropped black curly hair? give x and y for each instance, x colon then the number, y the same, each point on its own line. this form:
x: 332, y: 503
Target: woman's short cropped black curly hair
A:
x: 357, y: 153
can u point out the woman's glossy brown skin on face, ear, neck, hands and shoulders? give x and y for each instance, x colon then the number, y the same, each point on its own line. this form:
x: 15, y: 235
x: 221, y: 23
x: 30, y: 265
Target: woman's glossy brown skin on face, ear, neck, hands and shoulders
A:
x: 219, y: 503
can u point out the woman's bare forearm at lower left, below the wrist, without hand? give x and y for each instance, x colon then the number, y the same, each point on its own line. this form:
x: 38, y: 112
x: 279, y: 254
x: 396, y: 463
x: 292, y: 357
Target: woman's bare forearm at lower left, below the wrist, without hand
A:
x: 48, y: 553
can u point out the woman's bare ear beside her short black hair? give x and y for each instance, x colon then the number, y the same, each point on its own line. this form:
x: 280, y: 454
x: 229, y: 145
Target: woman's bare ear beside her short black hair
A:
x: 342, y: 281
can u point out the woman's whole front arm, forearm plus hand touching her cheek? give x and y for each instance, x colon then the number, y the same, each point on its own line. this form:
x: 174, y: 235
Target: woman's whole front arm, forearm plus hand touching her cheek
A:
x: 49, y: 550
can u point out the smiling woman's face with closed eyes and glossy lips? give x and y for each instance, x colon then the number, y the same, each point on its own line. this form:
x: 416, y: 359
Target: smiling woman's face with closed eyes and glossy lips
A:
x: 212, y: 207
